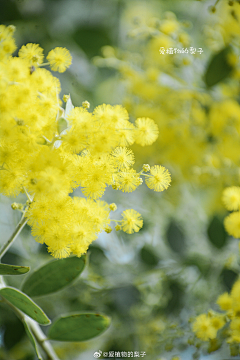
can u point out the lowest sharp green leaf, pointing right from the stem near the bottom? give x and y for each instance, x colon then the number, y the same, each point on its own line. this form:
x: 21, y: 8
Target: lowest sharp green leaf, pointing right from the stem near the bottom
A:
x: 78, y: 327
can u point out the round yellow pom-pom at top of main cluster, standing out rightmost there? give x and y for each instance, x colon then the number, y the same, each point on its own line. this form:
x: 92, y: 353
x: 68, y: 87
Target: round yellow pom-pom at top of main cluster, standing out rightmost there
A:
x: 60, y: 59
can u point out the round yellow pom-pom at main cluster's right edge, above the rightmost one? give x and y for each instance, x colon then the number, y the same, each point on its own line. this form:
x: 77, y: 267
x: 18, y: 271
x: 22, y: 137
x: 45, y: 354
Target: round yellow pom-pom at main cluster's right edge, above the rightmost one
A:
x: 146, y: 131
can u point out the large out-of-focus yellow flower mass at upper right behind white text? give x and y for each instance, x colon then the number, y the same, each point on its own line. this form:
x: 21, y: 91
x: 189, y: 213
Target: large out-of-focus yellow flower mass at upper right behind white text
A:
x: 199, y: 130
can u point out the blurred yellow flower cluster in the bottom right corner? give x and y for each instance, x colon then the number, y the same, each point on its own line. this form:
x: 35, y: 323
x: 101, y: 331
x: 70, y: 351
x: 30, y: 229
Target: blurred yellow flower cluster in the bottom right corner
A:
x: 206, y: 326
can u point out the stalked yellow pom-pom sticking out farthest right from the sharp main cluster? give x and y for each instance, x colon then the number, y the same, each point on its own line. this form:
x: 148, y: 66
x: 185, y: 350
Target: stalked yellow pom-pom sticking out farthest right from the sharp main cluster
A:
x: 159, y: 179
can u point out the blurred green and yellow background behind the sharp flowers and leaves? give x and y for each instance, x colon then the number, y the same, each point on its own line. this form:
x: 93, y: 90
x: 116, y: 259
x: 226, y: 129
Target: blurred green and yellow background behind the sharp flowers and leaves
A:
x: 154, y: 282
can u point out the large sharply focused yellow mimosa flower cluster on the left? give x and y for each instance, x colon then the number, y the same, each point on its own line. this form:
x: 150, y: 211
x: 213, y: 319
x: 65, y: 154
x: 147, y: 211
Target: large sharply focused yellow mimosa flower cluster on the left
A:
x: 47, y: 152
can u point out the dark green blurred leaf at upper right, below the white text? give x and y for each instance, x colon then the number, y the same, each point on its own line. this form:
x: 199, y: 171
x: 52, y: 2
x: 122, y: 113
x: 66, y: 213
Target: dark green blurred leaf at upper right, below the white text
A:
x: 218, y: 68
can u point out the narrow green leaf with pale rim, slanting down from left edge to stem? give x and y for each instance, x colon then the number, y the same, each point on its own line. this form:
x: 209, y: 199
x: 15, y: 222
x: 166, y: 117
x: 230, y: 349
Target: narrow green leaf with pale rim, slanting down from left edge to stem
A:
x: 25, y: 304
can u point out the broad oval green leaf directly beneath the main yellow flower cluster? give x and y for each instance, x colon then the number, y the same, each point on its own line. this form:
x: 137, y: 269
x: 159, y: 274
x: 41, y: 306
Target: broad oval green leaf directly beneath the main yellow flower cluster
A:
x: 53, y: 276
